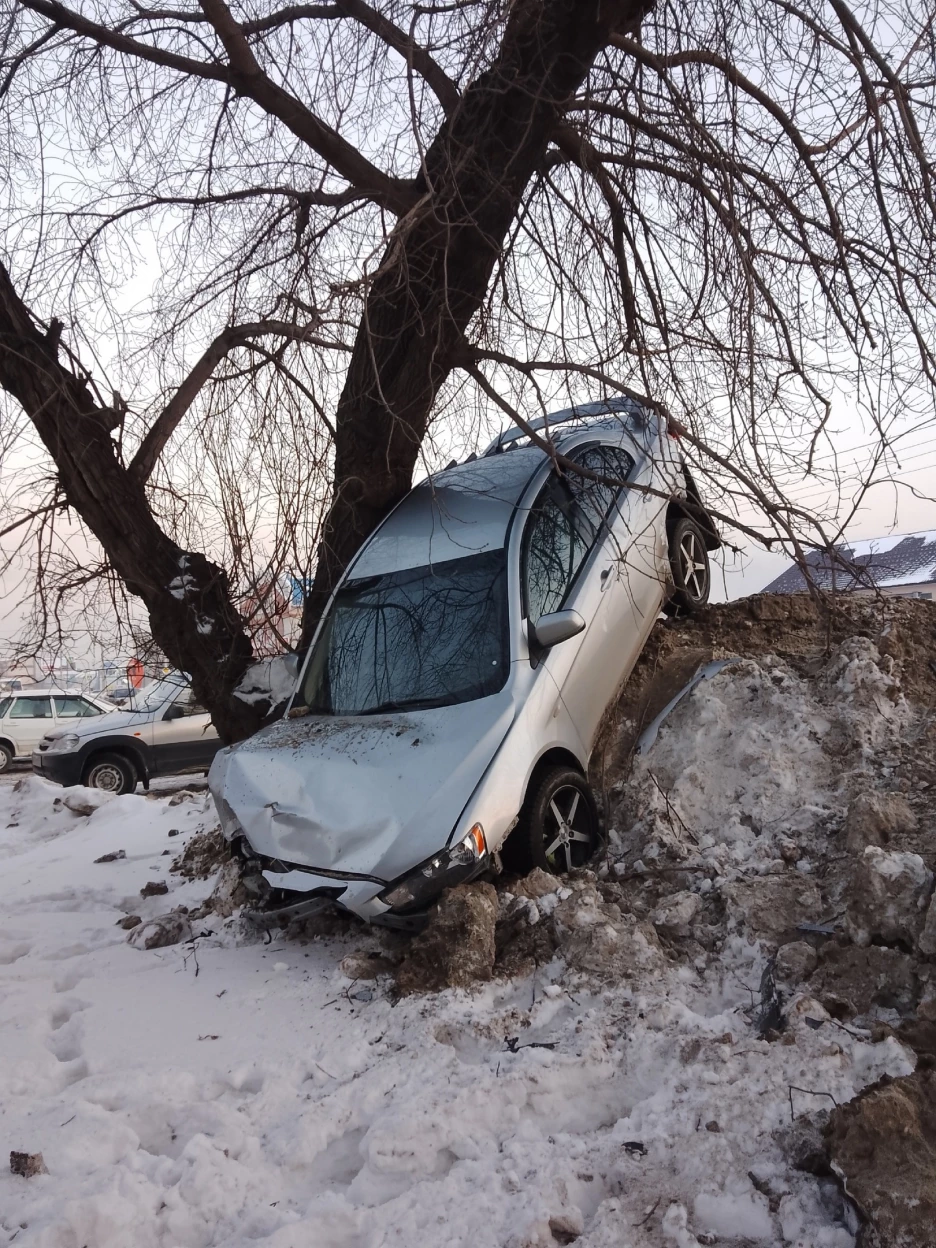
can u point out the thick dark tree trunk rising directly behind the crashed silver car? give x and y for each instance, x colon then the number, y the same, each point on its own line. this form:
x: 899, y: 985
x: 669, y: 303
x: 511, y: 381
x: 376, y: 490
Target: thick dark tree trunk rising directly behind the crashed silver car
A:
x: 436, y: 270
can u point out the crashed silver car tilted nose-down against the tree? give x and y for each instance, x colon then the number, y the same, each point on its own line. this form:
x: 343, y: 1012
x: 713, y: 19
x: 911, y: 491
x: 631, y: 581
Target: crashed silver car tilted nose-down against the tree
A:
x: 446, y: 712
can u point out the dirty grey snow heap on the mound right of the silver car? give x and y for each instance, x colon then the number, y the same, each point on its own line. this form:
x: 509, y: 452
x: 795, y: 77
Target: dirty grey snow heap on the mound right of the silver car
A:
x: 758, y: 764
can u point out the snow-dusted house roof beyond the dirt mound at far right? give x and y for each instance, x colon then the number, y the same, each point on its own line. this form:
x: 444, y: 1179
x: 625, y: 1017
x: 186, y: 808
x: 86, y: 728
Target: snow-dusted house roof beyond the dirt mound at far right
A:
x: 900, y: 560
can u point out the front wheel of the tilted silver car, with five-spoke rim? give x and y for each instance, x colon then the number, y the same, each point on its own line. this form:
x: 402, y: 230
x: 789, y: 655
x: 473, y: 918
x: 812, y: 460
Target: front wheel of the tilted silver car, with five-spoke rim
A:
x: 560, y: 828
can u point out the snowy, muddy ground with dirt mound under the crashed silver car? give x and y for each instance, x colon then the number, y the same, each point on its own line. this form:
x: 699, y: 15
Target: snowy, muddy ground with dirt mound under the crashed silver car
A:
x: 633, y: 1075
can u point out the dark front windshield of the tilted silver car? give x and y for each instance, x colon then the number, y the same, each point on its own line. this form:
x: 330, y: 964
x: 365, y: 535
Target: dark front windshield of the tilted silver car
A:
x: 426, y: 637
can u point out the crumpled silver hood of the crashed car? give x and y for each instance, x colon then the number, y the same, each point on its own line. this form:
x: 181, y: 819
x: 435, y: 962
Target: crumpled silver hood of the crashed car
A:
x: 361, y: 796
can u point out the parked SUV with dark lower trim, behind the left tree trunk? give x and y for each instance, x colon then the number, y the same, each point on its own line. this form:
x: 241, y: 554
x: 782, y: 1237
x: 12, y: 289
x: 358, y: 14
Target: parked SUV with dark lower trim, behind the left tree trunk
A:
x: 164, y: 732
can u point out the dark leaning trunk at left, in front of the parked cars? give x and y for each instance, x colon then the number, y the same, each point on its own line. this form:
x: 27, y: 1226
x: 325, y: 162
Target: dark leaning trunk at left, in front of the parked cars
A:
x: 188, y: 597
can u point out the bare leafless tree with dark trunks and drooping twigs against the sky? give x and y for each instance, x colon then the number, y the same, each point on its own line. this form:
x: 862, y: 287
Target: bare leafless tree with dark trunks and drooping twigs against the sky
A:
x: 370, y: 225
